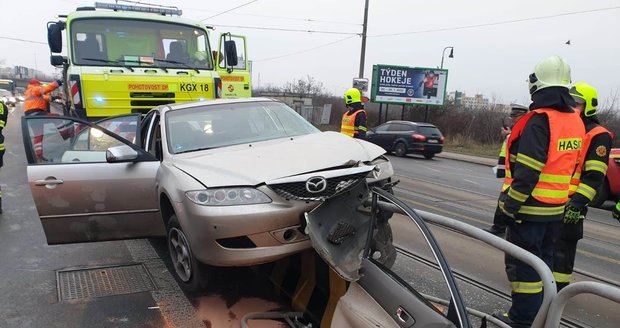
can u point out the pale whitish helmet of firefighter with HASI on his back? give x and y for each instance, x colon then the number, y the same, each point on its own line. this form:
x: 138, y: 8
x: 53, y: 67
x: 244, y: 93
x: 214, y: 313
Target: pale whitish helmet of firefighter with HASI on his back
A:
x: 549, y: 72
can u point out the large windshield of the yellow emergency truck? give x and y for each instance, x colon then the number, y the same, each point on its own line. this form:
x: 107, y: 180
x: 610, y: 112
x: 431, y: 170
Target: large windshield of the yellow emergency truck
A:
x: 139, y: 43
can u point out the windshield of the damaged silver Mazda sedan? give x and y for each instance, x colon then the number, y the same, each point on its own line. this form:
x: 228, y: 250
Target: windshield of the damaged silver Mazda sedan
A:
x: 213, y: 126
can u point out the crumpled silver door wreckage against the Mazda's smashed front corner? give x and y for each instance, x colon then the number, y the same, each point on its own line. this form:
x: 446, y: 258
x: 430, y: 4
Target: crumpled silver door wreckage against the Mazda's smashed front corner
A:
x: 380, y: 292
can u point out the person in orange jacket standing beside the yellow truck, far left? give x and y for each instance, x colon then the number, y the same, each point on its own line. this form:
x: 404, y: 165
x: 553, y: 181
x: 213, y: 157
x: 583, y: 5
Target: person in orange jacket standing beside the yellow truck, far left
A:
x: 36, y: 102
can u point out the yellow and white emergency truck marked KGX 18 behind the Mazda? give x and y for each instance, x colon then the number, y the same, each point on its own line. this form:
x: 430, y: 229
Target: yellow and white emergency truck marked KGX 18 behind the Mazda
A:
x: 128, y: 59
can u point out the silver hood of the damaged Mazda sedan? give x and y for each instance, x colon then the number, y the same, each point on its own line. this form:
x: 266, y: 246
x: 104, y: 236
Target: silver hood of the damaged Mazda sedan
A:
x: 256, y: 163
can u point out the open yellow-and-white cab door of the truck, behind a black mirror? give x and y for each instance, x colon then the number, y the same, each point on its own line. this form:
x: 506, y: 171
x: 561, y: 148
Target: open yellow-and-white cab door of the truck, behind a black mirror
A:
x: 233, y: 67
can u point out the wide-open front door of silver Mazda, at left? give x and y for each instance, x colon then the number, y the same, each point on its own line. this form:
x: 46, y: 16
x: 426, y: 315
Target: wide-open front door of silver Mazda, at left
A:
x: 88, y: 183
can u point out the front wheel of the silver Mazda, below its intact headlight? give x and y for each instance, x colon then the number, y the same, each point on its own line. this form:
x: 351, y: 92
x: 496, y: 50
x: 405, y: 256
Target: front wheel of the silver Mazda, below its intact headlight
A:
x: 188, y: 271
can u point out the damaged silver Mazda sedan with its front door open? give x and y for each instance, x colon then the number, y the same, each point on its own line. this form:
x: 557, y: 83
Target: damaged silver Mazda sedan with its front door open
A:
x: 227, y: 181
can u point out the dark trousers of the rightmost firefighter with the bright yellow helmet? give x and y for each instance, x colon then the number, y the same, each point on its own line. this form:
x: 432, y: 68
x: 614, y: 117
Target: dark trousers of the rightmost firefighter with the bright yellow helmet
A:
x: 564, y: 253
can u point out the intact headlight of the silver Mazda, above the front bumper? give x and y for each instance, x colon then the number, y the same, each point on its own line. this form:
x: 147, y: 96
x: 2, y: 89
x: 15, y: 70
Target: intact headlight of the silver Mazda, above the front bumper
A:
x: 228, y: 196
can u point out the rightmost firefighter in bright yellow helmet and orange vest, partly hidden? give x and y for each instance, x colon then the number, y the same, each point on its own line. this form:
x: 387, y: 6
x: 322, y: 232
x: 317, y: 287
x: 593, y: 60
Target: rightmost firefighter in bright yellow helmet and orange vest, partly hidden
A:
x: 587, y: 179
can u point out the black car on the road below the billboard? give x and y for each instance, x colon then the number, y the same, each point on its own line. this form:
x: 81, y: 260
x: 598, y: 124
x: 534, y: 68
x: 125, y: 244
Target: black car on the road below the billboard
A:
x: 405, y: 137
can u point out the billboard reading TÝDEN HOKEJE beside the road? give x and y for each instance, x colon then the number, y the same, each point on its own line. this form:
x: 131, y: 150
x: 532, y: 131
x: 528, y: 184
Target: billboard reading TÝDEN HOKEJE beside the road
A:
x: 393, y: 84
